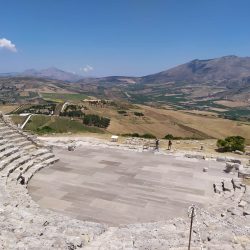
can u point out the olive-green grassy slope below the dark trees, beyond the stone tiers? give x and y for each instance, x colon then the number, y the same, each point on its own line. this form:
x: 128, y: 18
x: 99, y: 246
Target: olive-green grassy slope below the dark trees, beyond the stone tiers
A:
x: 58, y: 125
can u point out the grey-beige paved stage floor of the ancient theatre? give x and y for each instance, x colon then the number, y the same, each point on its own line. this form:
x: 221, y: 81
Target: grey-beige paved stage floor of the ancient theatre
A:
x: 121, y: 187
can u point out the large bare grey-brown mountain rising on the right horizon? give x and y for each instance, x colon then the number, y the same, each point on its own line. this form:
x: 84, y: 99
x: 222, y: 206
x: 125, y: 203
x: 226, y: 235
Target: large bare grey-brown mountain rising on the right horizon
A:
x: 224, y: 69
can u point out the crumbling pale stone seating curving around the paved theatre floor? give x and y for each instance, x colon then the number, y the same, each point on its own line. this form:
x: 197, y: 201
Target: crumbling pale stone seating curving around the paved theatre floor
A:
x: 24, y: 225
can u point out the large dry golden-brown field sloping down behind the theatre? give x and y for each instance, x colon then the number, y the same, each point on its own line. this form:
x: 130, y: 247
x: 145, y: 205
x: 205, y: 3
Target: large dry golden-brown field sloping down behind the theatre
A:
x: 160, y: 122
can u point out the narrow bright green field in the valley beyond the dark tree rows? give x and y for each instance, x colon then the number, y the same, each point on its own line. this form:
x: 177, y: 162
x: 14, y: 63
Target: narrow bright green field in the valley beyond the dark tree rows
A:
x: 61, y: 97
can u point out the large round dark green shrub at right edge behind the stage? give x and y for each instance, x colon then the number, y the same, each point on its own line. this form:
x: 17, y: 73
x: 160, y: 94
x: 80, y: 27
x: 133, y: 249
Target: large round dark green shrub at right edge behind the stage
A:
x: 231, y: 143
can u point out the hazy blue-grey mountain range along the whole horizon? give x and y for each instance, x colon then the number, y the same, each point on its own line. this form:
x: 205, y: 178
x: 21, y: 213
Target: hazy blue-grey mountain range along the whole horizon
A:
x: 224, y: 70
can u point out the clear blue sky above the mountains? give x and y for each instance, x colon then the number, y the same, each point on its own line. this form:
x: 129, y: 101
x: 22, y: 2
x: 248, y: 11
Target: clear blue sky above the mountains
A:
x: 119, y: 37
